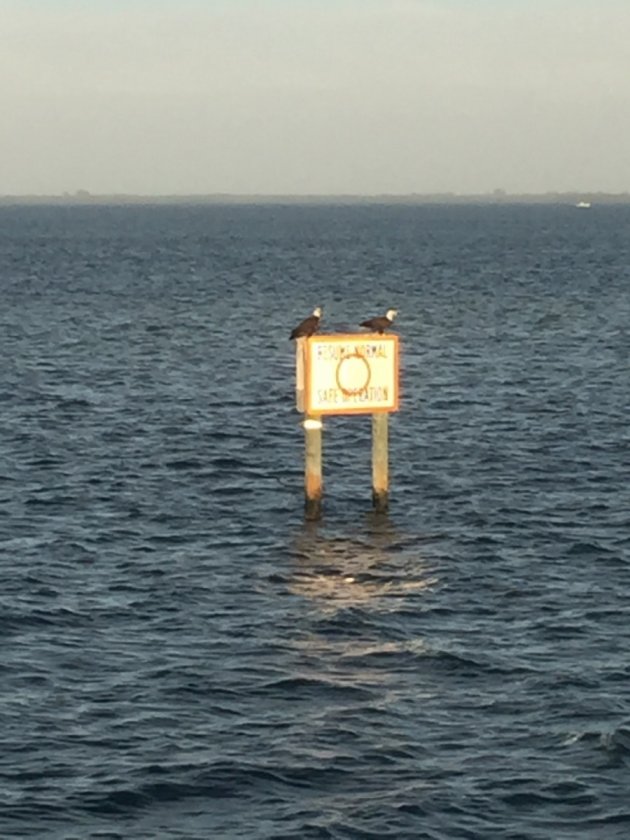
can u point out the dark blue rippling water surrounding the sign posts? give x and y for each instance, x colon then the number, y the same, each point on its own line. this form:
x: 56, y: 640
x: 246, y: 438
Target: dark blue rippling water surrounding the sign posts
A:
x: 183, y: 657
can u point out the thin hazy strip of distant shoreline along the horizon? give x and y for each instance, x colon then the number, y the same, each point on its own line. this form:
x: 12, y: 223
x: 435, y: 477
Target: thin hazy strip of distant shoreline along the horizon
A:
x: 82, y: 197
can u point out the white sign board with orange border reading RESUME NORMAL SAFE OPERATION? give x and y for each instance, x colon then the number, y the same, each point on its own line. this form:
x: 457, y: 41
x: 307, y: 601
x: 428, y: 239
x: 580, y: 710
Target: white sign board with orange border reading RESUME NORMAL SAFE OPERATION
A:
x: 351, y: 374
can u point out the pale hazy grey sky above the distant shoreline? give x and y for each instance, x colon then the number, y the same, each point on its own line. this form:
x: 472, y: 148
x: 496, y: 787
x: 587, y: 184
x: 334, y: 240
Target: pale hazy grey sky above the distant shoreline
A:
x: 302, y: 97
